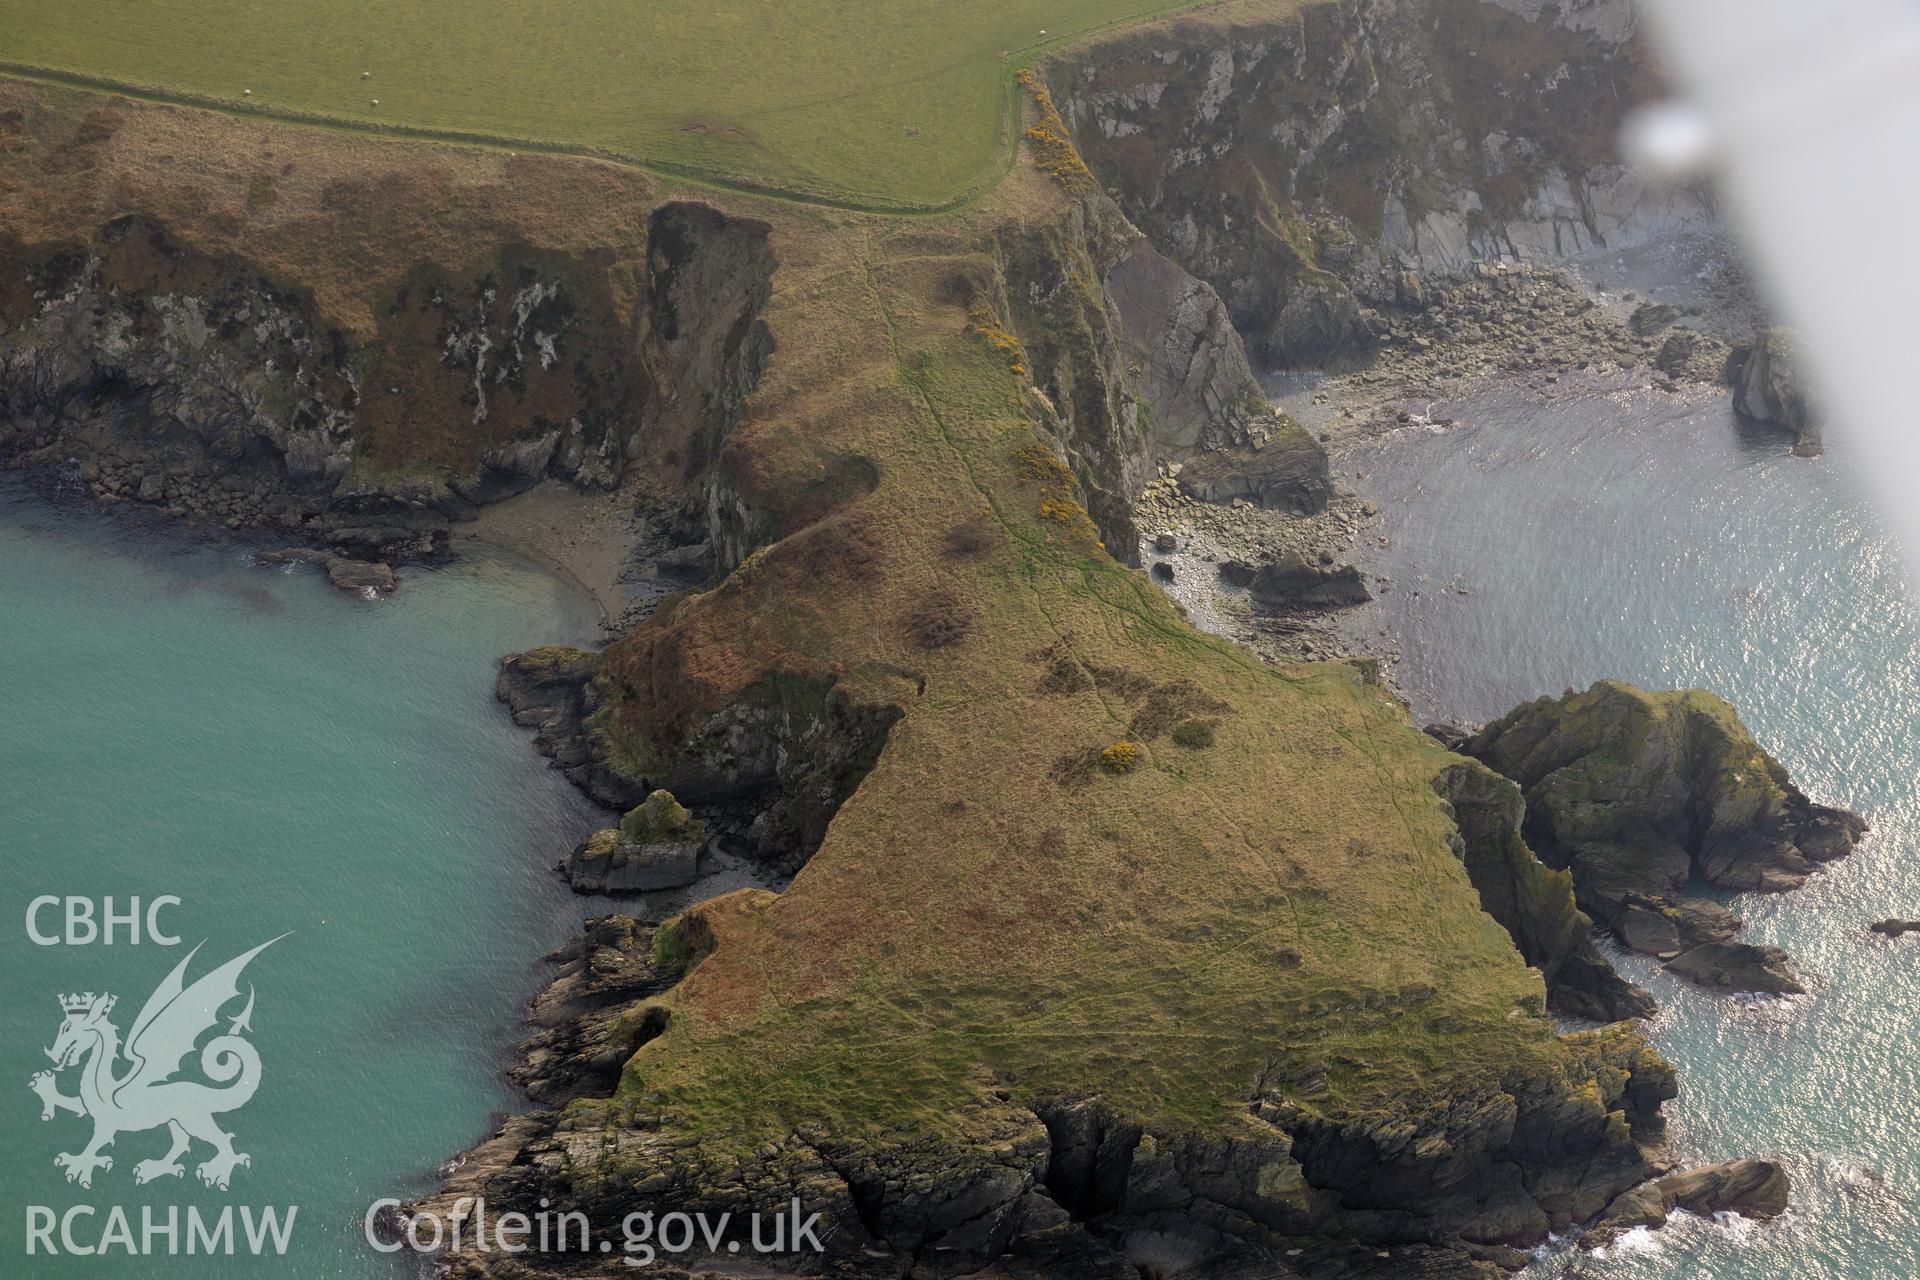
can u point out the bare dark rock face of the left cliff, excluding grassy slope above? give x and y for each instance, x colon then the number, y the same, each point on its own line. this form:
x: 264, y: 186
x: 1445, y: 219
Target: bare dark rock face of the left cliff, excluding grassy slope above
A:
x: 156, y: 371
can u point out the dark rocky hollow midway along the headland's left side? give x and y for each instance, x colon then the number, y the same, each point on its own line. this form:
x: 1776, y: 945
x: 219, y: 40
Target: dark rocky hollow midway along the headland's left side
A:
x: 765, y: 767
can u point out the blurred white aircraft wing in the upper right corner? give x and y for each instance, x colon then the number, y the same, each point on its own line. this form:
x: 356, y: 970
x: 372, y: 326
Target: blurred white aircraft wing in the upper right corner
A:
x: 1812, y: 116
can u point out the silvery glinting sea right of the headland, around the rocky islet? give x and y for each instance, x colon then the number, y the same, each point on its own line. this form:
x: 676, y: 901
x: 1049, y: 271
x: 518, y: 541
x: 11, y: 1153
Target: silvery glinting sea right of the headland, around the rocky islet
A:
x: 1658, y: 542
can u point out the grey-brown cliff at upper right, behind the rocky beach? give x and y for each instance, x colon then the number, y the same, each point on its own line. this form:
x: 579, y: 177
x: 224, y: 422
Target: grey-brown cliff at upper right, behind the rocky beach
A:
x: 1301, y: 166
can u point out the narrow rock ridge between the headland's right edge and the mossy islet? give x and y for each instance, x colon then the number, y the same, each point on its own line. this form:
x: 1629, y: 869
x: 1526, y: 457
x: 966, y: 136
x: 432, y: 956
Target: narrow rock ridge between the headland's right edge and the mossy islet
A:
x: 1531, y: 901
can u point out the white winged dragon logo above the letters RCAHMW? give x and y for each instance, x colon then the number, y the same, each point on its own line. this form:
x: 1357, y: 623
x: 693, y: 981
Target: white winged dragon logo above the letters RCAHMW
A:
x: 147, y: 1095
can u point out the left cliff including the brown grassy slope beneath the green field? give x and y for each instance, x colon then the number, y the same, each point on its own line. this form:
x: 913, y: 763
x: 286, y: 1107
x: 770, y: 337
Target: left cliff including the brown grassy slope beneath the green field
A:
x: 356, y: 346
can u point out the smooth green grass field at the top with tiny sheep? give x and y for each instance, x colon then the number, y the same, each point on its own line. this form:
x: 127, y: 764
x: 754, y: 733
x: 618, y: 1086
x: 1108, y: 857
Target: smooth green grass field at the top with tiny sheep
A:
x: 896, y: 105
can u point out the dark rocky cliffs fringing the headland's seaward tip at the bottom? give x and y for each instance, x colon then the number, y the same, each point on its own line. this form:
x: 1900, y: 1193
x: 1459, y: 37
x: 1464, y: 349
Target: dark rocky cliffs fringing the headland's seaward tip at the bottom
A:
x: 1070, y: 1189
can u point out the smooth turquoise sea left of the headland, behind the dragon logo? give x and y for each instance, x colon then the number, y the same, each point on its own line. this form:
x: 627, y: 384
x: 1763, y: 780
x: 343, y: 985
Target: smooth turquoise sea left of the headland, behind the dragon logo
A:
x: 285, y: 759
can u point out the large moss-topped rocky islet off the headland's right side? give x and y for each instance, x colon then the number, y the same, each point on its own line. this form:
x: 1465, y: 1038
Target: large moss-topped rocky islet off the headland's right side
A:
x: 1639, y: 794
